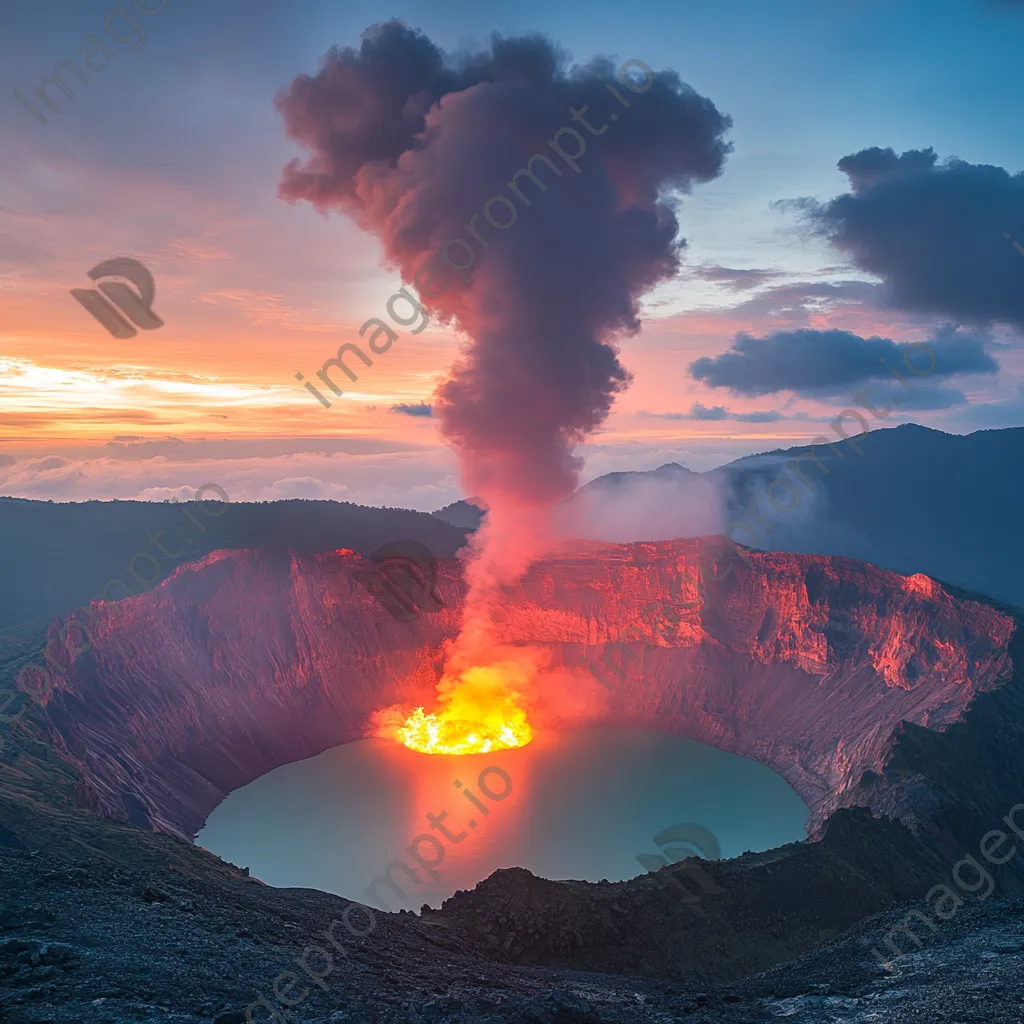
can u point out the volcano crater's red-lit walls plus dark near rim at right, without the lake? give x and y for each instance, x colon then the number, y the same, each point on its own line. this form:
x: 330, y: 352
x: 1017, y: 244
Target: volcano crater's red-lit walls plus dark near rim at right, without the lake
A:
x: 861, y: 688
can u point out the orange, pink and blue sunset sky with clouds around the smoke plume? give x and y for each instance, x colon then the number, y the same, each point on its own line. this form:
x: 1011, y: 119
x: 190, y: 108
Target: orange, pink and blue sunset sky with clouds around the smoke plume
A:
x: 174, y: 154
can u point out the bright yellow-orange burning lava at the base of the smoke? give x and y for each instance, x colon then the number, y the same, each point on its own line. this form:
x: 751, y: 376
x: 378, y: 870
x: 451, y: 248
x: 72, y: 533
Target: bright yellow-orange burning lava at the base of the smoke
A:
x: 481, y: 712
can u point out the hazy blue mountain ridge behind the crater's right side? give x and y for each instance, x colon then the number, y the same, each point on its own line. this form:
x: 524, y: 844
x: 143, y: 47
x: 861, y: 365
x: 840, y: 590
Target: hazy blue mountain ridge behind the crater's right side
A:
x: 948, y: 502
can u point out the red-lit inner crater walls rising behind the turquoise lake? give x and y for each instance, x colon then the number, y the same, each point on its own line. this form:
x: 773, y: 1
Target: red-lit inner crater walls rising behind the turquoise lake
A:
x: 249, y: 660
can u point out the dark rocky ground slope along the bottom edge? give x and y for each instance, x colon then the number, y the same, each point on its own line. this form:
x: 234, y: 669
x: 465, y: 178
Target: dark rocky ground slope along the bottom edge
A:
x: 95, y: 944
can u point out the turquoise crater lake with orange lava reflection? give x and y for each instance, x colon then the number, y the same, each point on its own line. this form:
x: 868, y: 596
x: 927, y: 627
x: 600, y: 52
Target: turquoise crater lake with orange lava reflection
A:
x: 584, y: 804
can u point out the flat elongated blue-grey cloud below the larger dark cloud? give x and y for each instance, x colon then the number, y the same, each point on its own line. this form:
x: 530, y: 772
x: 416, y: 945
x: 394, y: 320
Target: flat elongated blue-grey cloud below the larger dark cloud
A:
x: 824, y: 363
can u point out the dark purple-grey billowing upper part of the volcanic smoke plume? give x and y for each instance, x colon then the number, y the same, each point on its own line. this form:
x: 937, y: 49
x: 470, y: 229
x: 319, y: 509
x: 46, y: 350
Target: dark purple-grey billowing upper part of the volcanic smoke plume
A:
x: 413, y: 144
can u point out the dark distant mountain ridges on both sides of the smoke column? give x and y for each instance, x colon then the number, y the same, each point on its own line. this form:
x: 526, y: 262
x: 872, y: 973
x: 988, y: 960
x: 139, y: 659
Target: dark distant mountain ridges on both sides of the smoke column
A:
x: 949, y: 511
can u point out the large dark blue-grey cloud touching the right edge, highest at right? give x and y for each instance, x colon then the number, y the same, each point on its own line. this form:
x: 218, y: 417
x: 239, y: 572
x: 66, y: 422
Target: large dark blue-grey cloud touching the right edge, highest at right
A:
x: 934, y: 233
